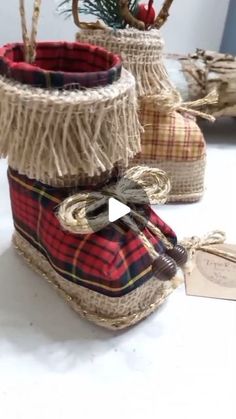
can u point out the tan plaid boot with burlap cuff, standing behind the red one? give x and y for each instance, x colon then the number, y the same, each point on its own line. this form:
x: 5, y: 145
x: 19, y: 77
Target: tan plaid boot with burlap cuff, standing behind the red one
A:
x: 171, y: 139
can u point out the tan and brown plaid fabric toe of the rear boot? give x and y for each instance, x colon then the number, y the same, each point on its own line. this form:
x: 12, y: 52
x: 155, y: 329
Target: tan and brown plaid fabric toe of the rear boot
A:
x: 170, y: 136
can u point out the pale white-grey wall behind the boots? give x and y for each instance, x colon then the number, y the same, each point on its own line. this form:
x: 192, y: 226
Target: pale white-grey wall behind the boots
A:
x: 192, y: 24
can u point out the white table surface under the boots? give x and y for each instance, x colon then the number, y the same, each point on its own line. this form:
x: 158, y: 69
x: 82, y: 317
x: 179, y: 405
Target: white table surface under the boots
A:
x: 179, y: 363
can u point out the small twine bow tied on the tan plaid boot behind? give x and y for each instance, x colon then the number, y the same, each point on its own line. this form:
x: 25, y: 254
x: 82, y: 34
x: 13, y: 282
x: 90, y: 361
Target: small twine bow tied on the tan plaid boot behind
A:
x: 174, y: 102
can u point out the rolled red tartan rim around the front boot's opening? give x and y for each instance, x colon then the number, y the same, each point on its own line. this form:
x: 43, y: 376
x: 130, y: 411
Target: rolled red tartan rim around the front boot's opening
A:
x: 36, y: 75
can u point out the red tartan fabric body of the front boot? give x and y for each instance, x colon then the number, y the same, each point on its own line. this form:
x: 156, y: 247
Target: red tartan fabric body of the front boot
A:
x: 113, y: 261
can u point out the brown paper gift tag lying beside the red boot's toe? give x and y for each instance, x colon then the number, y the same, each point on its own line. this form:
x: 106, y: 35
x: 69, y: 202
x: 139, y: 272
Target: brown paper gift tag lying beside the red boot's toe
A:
x: 212, y: 276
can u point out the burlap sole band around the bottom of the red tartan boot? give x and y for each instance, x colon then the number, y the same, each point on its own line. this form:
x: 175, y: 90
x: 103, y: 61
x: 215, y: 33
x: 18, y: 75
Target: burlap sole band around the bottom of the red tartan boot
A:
x: 111, y: 313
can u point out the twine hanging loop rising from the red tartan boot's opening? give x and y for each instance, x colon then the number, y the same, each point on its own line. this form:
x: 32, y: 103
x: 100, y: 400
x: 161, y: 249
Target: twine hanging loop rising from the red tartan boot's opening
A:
x: 30, y: 41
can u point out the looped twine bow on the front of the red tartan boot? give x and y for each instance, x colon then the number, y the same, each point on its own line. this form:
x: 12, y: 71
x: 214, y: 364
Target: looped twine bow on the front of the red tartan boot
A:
x: 140, y: 186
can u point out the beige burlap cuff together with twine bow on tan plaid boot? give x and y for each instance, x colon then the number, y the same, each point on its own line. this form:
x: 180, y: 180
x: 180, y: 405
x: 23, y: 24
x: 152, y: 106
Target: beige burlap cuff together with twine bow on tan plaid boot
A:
x: 142, y: 54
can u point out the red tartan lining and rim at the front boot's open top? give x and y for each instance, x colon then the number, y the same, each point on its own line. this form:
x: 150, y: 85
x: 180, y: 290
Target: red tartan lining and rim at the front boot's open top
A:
x: 61, y: 65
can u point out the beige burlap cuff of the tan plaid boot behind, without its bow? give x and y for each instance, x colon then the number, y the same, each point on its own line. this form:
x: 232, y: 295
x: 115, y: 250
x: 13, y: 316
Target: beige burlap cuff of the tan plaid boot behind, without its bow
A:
x: 142, y: 54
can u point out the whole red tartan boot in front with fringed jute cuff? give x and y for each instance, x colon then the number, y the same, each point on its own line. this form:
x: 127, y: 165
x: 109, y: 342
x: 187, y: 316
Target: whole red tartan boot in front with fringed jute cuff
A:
x: 67, y: 144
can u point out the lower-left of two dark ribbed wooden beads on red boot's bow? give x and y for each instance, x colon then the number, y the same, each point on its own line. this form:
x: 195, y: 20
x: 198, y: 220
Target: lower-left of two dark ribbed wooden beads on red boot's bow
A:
x: 164, y: 268
